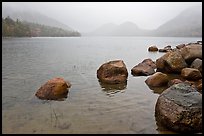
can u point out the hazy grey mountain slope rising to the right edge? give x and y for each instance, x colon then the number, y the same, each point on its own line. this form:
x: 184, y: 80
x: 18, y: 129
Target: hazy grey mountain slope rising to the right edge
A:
x: 187, y: 23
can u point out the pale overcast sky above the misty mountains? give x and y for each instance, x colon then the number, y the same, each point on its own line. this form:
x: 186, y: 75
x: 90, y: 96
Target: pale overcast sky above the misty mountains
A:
x: 86, y: 16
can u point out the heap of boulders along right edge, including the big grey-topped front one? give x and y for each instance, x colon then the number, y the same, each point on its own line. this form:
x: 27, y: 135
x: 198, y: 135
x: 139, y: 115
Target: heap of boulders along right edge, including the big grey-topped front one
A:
x: 179, y: 107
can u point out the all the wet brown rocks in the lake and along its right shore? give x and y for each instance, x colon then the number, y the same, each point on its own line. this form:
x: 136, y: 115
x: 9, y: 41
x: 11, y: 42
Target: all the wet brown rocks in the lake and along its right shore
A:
x: 179, y: 106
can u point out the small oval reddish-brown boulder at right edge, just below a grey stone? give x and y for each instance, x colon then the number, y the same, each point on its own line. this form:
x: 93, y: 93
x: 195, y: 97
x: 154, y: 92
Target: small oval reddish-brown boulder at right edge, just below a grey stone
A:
x: 191, y: 74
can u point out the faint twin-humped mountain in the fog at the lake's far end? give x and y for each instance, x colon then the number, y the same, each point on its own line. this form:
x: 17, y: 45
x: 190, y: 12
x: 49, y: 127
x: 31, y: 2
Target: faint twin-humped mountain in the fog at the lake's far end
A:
x: 124, y: 29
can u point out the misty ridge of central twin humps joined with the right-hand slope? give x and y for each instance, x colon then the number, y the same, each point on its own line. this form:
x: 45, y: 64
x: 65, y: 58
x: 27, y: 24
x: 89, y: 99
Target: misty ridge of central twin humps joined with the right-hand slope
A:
x: 187, y: 23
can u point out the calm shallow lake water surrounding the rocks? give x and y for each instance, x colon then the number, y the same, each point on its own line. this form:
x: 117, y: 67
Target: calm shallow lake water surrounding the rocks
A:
x: 27, y: 63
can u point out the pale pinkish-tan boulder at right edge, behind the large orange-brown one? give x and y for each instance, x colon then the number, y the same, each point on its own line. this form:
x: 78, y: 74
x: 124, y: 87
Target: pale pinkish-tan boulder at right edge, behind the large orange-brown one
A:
x: 191, y: 52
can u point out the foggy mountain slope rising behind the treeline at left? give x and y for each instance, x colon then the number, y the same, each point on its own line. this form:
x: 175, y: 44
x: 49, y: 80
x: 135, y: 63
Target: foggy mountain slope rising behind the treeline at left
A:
x: 32, y: 16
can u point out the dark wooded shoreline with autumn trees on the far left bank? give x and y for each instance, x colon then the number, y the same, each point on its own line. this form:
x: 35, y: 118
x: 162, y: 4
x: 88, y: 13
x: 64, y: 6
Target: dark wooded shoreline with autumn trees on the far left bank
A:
x: 11, y: 28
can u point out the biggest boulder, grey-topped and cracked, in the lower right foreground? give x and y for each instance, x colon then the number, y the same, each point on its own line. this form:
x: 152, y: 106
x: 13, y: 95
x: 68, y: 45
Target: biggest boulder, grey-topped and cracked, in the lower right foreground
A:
x: 179, y: 108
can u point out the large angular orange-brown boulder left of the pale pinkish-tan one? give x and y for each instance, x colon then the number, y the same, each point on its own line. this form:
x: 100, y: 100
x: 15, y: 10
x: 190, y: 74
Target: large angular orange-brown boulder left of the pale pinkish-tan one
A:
x: 171, y: 62
